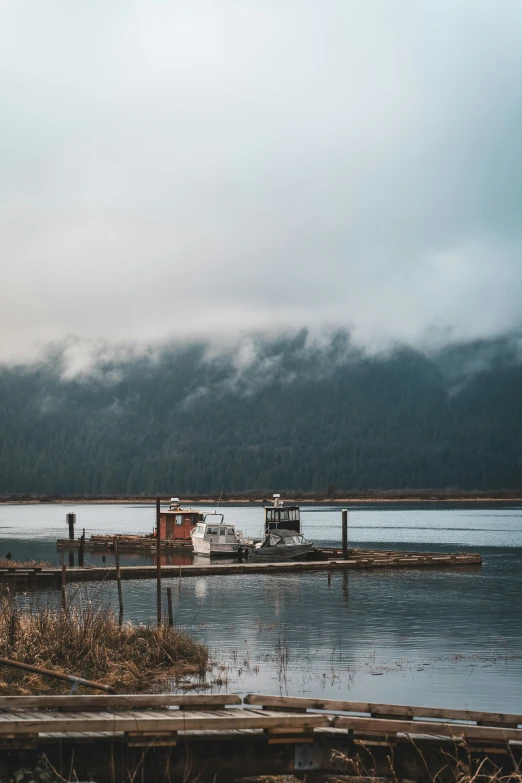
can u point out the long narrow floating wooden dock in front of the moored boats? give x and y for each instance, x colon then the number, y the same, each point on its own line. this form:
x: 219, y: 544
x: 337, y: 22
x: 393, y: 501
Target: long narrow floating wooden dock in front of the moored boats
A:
x: 358, y: 559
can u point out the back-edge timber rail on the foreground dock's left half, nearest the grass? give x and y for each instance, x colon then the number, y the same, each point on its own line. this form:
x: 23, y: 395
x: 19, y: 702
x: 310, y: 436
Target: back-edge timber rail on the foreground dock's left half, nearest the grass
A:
x: 8, y: 703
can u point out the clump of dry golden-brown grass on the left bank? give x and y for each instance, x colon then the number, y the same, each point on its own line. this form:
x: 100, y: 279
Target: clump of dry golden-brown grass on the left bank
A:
x: 87, y: 641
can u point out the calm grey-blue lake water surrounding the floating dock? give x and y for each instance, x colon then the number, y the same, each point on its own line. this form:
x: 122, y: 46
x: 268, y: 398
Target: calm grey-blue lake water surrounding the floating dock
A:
x: 440, y: 637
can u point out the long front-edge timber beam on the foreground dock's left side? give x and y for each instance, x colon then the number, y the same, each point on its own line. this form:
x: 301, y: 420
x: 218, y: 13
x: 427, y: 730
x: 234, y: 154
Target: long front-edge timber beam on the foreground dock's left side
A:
x: 169, y: 721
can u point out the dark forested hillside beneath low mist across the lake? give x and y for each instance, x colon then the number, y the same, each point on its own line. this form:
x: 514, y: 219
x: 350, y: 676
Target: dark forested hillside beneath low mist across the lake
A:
x: 277, y: 415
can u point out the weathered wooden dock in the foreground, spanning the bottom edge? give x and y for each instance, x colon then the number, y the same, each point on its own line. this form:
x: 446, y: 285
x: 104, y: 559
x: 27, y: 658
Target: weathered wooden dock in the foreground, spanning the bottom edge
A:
x: 218, y: 737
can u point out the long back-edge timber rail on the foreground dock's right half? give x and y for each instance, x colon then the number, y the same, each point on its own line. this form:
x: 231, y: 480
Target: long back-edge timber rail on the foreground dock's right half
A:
x: 487, y: 718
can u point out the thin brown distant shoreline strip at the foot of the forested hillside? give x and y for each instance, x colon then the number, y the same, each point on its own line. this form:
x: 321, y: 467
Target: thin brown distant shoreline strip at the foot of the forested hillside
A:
x: 259, y: 499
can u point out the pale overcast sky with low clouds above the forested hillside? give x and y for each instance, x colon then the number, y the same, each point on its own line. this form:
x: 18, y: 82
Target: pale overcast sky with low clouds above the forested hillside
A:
x: 211, y: 167
